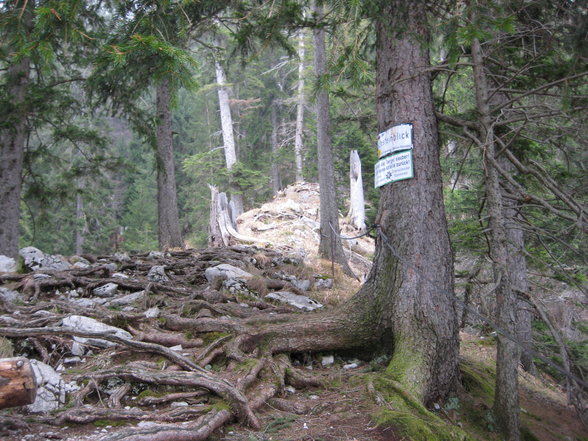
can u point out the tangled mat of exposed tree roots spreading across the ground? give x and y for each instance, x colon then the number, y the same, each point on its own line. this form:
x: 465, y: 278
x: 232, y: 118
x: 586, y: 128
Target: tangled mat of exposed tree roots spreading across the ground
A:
x: 232, y: 355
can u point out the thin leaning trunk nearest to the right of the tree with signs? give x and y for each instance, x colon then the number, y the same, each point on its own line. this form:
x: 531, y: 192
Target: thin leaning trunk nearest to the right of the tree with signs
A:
x: 506, y: 400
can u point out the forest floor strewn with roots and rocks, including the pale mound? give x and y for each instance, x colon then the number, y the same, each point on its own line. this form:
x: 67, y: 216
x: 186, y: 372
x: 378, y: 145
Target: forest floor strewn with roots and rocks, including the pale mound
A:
x: 122, y: 334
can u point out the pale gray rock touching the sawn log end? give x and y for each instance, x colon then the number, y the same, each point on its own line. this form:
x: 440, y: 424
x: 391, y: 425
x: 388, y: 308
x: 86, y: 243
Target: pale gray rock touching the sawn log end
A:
x: 50, y: 389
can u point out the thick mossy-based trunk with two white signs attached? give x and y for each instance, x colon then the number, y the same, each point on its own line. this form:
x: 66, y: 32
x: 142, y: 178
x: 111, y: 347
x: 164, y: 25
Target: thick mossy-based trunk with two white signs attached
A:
x: 411, y: 280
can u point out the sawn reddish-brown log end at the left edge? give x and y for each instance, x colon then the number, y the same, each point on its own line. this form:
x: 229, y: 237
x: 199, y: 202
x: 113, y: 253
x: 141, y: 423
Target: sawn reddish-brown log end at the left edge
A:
x: 17, y: 382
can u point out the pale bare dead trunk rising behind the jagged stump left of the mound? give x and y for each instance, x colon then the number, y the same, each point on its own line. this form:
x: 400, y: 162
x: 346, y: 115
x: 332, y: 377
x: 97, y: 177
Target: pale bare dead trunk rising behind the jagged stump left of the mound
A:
x: 228, y: 134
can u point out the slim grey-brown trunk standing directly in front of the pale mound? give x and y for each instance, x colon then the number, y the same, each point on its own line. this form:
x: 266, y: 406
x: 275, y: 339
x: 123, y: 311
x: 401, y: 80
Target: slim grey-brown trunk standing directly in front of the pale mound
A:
x: 330, y: 246
